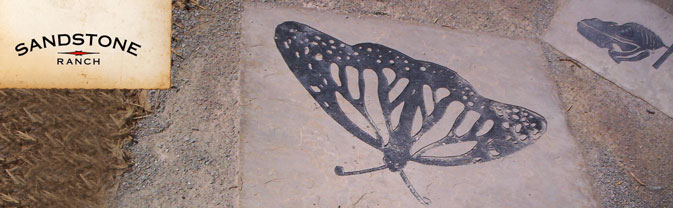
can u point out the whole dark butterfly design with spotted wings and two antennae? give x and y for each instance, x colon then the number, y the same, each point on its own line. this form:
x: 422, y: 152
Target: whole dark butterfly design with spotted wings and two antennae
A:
x: 401, y: 100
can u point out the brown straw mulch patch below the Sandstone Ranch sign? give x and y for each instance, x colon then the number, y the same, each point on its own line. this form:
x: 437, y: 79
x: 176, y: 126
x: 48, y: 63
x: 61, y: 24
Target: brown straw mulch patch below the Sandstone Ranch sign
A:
x: 63, y: 148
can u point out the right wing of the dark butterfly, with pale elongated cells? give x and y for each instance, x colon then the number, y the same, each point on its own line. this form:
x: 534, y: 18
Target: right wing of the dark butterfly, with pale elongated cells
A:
x: 497, y: 130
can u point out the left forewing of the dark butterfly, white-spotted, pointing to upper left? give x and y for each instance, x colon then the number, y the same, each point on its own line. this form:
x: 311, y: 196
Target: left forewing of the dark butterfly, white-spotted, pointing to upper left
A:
x: 308, y: 54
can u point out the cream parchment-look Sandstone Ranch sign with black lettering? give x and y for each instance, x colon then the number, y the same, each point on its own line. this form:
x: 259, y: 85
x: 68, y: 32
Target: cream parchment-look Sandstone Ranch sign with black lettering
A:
x: 92, y: 45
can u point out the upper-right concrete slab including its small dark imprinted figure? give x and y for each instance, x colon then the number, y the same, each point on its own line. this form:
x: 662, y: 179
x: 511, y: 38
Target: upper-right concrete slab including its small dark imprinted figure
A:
x: 627, y: 43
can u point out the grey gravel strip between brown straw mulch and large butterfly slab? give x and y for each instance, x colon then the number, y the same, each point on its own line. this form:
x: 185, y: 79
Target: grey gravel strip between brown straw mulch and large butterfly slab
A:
x: 186, y: 153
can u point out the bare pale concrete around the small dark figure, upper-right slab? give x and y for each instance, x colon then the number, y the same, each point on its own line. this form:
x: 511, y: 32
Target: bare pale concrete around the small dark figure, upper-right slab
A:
x: 639, y: 78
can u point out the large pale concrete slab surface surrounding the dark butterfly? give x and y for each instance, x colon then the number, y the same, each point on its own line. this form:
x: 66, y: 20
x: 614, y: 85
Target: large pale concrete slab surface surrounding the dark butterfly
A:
x: 290, y: 145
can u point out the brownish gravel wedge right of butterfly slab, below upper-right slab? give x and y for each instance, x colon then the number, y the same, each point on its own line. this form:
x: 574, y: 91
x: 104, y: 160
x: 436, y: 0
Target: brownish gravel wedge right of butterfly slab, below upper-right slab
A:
x: 624, y: 140
